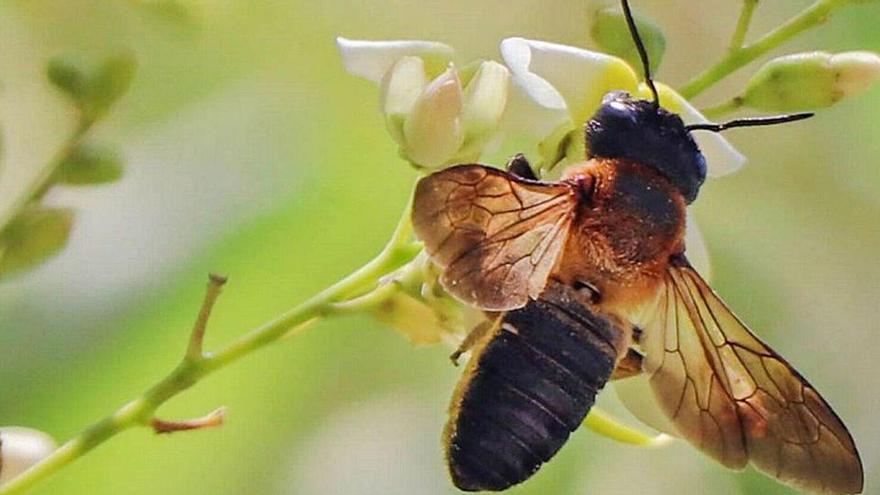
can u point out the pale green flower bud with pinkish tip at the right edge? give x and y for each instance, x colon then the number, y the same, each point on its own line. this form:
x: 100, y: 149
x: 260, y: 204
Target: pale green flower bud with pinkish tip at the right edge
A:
x: 811, y: 80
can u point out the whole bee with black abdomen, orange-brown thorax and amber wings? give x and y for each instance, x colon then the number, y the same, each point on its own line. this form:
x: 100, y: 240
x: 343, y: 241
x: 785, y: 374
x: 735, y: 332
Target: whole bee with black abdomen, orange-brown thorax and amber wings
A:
x: 585, y: 280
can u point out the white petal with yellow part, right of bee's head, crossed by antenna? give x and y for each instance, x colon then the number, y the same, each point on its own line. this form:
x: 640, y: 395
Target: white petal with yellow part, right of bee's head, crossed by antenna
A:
x: 721, y: 157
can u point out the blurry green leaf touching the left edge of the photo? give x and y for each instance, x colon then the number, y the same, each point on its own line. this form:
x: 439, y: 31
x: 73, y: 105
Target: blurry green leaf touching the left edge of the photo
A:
x: 36, y: 235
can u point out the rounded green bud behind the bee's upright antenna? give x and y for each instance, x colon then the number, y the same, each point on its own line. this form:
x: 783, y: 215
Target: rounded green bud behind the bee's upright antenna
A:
x: 611, y: 33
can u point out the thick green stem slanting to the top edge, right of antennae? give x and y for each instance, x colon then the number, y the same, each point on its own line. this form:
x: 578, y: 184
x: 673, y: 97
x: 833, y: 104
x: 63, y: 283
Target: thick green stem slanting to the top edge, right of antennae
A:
x: 810, y: 17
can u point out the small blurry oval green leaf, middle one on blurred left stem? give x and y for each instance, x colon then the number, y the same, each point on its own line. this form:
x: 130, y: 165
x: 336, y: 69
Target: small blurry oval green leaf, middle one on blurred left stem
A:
x: 89, y: 164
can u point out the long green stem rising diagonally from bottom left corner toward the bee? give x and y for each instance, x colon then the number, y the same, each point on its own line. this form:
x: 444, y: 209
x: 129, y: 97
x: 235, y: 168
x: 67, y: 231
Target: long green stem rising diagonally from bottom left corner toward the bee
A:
x: 194, y: 367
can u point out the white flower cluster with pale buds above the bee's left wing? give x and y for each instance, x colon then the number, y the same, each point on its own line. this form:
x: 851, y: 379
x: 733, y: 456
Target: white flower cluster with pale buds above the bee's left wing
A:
x: 438, y: 115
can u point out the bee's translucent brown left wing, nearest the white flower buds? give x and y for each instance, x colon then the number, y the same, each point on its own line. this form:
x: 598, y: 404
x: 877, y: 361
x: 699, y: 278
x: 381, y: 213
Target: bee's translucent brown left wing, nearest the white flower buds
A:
x: 497, y: 236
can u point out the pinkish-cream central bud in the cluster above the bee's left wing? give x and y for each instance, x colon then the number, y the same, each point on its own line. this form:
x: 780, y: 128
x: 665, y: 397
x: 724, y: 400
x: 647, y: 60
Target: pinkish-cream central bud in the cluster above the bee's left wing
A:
x: 433, y: 132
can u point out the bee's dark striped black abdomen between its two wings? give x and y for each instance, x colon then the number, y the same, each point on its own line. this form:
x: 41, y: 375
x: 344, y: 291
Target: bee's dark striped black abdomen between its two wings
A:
x: 526, y: 390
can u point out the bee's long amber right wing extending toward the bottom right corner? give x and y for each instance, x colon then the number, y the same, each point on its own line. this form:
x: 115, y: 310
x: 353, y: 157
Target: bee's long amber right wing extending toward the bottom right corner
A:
x: 735, y: 398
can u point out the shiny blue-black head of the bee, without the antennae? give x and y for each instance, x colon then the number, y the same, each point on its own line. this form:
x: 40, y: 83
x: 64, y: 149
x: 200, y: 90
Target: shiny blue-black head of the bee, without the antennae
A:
x: 643, y: 132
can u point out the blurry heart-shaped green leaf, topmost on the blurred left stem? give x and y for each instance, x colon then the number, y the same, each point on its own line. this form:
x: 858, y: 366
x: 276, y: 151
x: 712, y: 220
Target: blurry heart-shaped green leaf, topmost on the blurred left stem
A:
x: 92, y: 86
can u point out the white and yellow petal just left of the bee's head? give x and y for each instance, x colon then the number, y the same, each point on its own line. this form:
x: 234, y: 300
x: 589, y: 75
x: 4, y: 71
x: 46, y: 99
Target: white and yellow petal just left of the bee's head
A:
x: 557, y: 76
